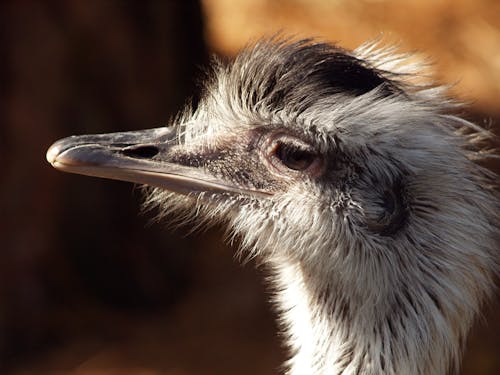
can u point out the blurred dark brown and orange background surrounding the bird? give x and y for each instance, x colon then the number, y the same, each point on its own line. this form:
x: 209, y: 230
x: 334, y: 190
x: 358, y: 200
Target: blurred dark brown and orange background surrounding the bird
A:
x: 87, y: 286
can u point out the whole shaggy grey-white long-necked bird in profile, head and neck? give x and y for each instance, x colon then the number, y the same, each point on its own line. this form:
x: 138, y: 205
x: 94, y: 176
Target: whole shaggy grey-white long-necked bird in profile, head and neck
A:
x: 353, y: 181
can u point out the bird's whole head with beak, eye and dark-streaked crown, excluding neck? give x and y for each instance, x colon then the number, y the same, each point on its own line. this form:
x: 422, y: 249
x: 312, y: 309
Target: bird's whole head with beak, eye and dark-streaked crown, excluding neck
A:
x: 290, y: 139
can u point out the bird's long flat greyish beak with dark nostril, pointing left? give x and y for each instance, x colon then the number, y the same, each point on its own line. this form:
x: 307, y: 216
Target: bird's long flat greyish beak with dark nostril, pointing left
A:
x: 142, y: 157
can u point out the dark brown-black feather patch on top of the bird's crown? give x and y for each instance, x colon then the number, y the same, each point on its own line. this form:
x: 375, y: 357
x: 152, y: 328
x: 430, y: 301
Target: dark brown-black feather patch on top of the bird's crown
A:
x: 298, y: 74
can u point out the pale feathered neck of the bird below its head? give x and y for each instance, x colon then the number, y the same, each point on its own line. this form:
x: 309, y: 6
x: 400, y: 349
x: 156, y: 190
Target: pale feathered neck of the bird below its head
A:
x: 329, y: 332
